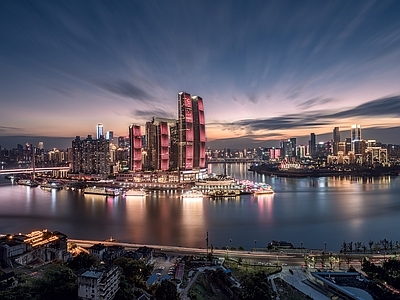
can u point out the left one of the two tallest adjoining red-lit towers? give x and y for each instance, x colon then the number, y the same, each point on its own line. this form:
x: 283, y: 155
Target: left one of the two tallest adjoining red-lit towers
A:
x: 185, y: 131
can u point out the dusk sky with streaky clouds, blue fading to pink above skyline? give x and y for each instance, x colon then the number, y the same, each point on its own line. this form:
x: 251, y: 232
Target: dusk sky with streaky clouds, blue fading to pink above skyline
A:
x: 266, y: 70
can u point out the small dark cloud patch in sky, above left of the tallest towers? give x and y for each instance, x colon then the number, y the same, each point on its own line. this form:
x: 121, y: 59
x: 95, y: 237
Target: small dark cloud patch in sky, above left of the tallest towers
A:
x: 126, y: 89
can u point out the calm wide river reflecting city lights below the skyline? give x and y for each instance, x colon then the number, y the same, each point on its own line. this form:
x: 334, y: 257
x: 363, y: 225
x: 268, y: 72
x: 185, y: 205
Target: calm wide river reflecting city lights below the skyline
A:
x: 307, y: 211
